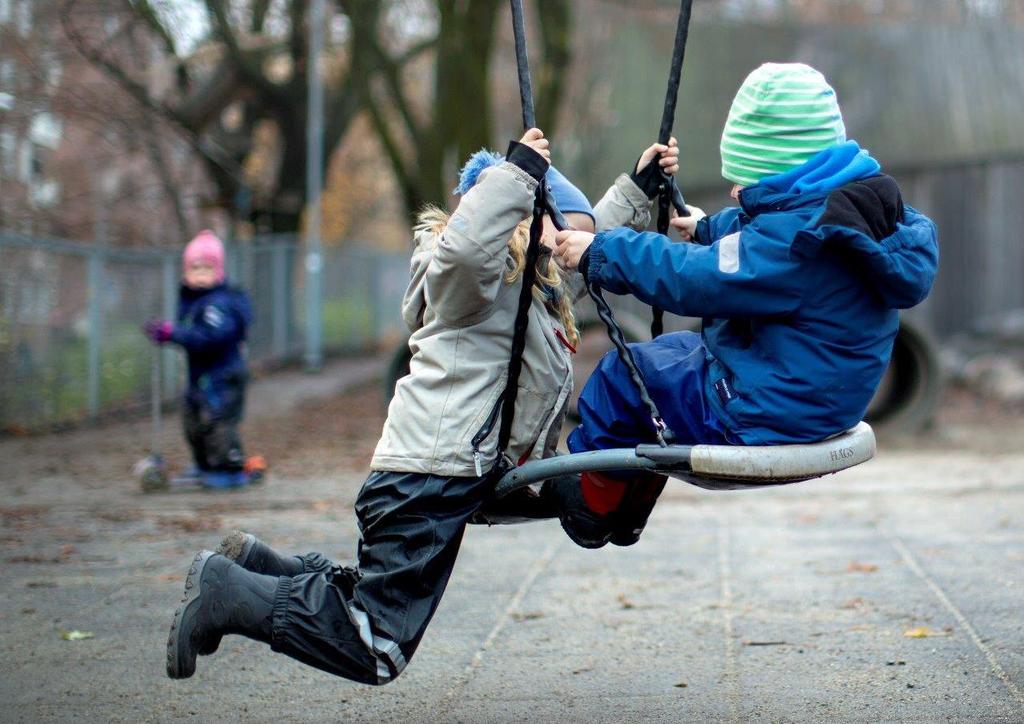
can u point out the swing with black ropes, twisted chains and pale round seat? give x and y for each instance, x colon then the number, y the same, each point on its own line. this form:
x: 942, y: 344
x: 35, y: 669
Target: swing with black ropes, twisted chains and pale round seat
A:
x: 710, y: 467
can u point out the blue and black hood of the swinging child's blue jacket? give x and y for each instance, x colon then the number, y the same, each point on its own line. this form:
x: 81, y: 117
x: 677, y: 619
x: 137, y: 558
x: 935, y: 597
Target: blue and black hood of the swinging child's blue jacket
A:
x: 860, y: 216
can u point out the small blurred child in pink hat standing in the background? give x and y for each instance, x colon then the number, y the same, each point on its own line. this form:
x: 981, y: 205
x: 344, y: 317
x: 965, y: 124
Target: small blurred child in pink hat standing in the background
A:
x: 211, y: 327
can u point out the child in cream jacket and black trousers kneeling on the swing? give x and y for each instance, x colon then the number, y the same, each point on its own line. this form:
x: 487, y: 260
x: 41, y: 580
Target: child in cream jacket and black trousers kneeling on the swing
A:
x: 366, y: 622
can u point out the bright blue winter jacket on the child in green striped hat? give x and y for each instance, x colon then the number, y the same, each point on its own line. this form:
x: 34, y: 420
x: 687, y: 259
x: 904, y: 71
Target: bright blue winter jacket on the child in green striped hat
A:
x: 798, y: 289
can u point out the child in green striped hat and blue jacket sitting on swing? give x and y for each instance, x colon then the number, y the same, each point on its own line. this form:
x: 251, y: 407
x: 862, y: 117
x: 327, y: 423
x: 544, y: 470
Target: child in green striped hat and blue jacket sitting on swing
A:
x: 798, y: 287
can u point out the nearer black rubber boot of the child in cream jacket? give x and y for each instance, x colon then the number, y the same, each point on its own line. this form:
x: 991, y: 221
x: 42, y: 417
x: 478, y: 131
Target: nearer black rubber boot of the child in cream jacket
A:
x: 221, y: 599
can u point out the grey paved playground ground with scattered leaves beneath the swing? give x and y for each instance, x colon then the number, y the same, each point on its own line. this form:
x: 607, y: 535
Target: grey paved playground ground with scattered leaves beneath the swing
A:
x: 796, y: 605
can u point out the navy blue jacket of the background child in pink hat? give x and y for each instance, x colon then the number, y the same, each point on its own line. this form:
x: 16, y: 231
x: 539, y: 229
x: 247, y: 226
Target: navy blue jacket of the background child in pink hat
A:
x: 211, y: 327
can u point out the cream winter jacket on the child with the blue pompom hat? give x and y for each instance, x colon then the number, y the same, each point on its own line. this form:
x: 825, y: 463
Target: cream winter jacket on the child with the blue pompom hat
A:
x: 461, y: 313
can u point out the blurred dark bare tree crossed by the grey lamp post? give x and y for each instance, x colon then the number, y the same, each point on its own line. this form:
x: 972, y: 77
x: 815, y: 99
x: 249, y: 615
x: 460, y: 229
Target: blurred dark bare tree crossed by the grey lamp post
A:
x: 250, y: 70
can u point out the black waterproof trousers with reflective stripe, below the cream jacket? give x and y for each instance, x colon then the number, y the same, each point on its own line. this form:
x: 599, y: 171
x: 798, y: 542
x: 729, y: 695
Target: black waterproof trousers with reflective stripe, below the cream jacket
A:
x: 365, y: 623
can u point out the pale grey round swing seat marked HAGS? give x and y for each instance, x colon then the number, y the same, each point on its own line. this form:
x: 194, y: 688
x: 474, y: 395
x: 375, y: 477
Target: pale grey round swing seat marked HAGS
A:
x: 711, y: 467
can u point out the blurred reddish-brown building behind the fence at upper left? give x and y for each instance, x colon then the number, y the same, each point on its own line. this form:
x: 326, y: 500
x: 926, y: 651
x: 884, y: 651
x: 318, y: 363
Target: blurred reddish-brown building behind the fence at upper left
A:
x: 79, y: 159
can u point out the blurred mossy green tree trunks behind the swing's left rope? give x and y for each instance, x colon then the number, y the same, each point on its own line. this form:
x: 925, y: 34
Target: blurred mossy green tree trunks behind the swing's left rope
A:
x: 425, y: 129
